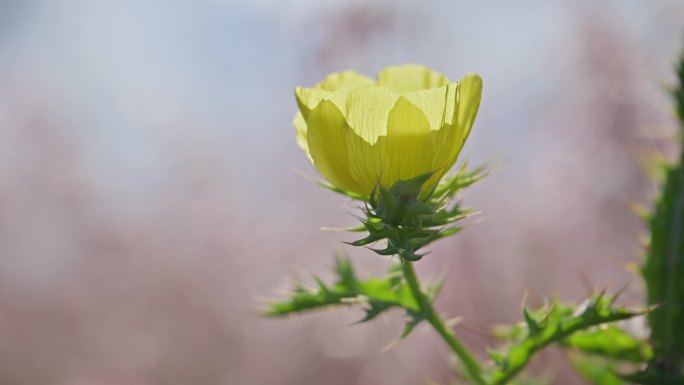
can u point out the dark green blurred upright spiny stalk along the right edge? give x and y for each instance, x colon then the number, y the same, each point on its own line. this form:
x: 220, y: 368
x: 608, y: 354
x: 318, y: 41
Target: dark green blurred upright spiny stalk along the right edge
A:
x: 663, y: 270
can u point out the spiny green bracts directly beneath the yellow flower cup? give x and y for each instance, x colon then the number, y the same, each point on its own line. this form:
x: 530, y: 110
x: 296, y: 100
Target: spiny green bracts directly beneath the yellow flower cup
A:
x: 407, y: 221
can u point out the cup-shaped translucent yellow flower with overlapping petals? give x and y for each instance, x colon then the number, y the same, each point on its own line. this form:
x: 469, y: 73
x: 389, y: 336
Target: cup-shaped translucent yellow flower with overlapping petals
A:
x: 359, y: 132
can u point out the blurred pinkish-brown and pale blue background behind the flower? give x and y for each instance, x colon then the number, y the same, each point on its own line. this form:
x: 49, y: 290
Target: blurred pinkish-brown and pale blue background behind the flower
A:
x: 148, y: 194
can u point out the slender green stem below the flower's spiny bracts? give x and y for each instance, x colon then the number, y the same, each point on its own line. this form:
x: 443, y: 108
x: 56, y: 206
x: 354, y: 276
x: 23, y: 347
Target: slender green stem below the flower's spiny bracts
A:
x: 471, y: 365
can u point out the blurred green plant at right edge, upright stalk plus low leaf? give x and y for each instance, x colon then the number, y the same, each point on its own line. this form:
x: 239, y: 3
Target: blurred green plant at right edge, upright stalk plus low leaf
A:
x: 612, y: 356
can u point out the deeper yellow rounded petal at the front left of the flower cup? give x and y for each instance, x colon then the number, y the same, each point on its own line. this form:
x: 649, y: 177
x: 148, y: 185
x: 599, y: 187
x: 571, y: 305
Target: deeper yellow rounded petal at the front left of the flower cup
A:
x: 327, y: 137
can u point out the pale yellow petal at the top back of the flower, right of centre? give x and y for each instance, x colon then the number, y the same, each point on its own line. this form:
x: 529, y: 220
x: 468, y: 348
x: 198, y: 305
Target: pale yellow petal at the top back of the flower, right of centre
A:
x: 410, y: 77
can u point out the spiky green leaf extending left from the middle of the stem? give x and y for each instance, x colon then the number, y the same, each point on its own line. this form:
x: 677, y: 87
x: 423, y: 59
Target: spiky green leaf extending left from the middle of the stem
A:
x: 373, y: 295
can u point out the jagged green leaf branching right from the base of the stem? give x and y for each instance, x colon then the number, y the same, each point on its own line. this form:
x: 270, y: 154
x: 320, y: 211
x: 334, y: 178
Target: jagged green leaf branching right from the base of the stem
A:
x: 555, y: 323
